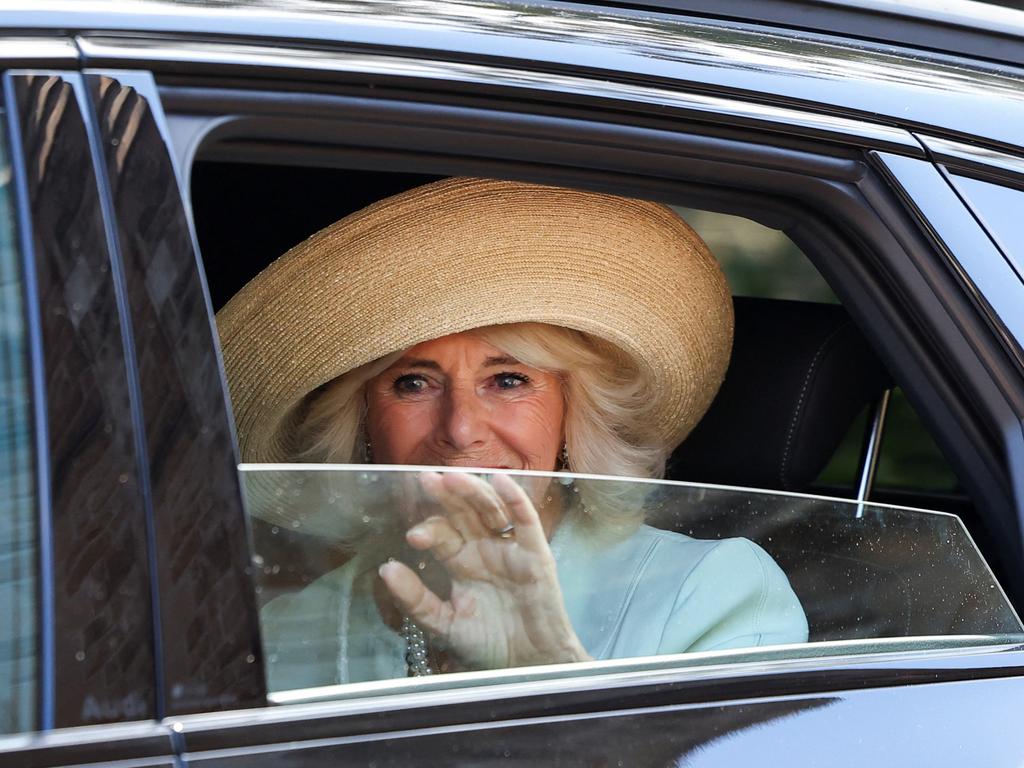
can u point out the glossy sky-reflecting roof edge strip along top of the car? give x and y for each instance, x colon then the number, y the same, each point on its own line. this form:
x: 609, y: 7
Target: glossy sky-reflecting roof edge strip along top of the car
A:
x: 910, y: 91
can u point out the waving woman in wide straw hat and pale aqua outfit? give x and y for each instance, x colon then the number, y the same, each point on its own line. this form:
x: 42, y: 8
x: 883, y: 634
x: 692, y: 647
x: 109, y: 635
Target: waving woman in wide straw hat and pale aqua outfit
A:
x: 509, y: 327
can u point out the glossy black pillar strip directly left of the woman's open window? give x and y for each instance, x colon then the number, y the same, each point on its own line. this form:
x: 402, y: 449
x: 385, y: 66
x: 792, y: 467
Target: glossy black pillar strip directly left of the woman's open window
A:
x: 210, y: 642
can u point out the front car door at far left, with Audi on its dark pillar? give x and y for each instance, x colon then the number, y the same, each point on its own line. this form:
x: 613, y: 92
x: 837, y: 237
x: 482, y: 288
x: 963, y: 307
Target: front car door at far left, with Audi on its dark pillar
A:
x: 89, y: 619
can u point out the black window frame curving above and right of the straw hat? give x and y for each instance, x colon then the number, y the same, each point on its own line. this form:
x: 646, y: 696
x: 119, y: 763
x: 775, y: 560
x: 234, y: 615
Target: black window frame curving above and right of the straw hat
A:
x: 855, y: 191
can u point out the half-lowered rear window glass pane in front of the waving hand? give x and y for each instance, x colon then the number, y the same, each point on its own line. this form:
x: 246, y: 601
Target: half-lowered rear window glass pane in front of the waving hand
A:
x: 387, y: 574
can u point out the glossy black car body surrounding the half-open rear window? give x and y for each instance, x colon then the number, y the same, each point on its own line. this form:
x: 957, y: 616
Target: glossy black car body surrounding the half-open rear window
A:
x: 891, y: 154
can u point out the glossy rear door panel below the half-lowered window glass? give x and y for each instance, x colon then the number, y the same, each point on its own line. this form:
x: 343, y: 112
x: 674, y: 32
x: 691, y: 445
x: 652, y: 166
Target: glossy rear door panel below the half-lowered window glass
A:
x: 907, y: 721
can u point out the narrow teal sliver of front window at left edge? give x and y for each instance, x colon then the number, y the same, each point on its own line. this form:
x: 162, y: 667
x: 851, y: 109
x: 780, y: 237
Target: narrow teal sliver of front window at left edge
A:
x: 18, y: 523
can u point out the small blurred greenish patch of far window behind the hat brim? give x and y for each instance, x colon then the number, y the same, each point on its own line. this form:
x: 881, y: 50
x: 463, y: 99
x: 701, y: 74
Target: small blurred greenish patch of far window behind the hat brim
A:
x: 758, y: 261
